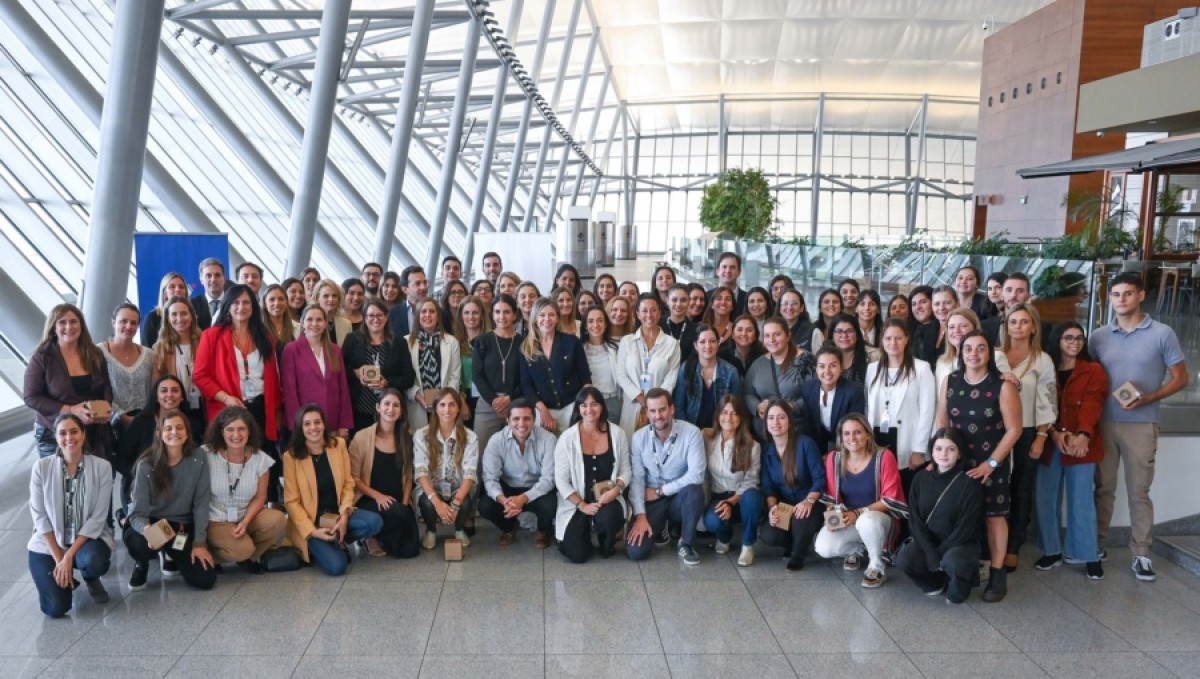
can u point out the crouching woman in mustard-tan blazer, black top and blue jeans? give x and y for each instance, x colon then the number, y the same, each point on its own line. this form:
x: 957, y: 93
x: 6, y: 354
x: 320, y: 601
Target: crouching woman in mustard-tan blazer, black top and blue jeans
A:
x: 319, y: 494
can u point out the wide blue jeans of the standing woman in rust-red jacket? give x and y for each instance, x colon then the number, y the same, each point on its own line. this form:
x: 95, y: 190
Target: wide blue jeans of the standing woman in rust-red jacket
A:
x: 1078, y: 479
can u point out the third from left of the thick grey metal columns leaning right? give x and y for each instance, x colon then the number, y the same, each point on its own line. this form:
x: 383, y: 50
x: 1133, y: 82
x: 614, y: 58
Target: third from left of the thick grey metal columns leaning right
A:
x: 403, y: 133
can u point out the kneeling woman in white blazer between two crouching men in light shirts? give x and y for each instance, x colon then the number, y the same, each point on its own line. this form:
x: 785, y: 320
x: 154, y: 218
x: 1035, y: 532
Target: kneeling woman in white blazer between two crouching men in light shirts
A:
x: 592, y: 471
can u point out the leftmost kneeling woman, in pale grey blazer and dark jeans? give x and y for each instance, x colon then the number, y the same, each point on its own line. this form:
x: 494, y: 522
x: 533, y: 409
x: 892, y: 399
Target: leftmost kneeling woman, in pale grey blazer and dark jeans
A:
x: 70, y: 495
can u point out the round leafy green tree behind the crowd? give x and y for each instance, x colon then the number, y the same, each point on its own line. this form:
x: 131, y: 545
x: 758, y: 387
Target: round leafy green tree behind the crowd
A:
x: 740, y: 205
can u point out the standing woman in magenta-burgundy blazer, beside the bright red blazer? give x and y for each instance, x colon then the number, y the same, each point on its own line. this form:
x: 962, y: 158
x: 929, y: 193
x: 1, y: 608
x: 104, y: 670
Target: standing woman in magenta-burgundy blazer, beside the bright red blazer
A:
x: 314, y: 371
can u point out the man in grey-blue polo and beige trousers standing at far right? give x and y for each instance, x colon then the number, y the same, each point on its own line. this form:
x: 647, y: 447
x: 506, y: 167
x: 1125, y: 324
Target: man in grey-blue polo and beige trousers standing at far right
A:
x: 1144, y: 353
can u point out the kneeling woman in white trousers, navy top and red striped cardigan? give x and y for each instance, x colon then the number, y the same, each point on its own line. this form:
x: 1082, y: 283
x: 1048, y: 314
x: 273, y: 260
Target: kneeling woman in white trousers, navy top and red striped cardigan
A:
x: 861, y: 476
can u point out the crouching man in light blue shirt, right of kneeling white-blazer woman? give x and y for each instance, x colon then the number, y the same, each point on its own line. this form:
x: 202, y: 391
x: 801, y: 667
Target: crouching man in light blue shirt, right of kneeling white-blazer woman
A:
x: 669, y: 468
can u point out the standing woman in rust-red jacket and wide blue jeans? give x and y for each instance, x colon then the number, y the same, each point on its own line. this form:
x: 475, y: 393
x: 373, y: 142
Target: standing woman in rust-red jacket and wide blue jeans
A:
x: 1083, y: 387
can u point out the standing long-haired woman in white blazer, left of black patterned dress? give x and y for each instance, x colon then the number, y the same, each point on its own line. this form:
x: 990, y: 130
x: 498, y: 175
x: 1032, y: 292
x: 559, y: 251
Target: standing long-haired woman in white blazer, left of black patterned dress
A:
x: 902, y: 399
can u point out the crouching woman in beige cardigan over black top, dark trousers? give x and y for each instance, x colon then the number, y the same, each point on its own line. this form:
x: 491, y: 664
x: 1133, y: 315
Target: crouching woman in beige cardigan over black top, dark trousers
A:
x: 382, y: 466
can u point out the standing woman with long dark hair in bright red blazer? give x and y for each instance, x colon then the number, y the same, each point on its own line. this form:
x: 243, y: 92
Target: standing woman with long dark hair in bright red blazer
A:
x: 236, y: 363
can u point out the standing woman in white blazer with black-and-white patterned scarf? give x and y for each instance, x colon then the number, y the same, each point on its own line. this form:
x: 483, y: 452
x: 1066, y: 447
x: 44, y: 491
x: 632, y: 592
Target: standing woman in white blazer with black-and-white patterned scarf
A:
x: 437, y: 363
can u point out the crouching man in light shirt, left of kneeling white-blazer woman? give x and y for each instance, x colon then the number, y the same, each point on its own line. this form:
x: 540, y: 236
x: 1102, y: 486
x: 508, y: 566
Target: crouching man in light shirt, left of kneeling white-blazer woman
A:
x: 519, y: 476
